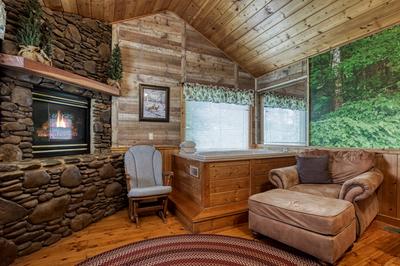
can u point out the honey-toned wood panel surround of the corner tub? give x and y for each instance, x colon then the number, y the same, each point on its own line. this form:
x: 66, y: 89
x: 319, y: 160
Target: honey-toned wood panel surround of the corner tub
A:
x: 217, y: 195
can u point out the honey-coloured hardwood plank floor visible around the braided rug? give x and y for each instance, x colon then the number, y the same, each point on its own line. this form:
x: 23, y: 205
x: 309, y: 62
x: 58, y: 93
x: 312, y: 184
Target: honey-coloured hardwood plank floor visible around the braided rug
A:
x: 377, y: 246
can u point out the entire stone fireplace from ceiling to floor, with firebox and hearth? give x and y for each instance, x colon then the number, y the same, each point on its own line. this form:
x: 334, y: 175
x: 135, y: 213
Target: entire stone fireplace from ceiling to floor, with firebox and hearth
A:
x: 57, y: 173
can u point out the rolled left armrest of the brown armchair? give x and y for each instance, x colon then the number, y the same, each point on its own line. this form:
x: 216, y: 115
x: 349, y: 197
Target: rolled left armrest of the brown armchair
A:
x: 284, y: 177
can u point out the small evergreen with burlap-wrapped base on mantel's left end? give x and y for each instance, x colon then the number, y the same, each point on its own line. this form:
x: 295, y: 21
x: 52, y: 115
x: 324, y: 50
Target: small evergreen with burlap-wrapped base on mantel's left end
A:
x: 33, y: 37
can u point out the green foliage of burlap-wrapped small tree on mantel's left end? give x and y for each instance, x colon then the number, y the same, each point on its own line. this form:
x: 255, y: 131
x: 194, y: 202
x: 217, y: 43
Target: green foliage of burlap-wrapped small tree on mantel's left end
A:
x: 29, y: 31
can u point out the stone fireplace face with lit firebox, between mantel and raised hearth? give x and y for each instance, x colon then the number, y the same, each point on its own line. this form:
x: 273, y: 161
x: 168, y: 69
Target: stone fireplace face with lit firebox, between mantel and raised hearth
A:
x: 29, y: 111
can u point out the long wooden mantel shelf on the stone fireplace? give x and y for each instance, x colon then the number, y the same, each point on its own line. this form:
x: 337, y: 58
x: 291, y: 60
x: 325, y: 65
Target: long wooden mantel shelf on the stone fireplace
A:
x: 33, y: 67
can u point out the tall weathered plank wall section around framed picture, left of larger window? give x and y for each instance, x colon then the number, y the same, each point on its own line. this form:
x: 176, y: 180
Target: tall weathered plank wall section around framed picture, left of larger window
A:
x: 151, y: 54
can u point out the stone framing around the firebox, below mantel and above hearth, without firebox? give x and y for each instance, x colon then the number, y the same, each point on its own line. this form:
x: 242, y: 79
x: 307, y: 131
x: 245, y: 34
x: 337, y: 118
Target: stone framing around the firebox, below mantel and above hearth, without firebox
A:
x: 16, y: 114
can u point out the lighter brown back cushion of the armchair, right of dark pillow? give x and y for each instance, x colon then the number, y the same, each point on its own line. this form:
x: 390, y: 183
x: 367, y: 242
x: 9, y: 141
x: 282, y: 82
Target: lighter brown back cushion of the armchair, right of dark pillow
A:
x: 349, y: 164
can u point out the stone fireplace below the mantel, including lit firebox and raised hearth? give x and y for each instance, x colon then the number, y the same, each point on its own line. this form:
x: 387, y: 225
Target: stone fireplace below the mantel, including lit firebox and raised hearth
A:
x: 45, y: 199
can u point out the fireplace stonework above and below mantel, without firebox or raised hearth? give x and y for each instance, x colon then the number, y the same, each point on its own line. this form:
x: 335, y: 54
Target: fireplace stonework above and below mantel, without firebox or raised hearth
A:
x: 81, y: 46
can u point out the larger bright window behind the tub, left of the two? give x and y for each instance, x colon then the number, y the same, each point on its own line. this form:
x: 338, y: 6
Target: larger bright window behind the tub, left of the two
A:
x: 217, y: 125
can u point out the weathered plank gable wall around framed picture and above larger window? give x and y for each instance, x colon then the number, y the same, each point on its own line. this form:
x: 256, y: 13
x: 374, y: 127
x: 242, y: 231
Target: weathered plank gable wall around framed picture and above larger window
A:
x: 164, y: 50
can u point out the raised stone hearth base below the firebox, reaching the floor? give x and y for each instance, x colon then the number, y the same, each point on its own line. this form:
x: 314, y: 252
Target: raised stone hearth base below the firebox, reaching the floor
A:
x: 42, y: 201
